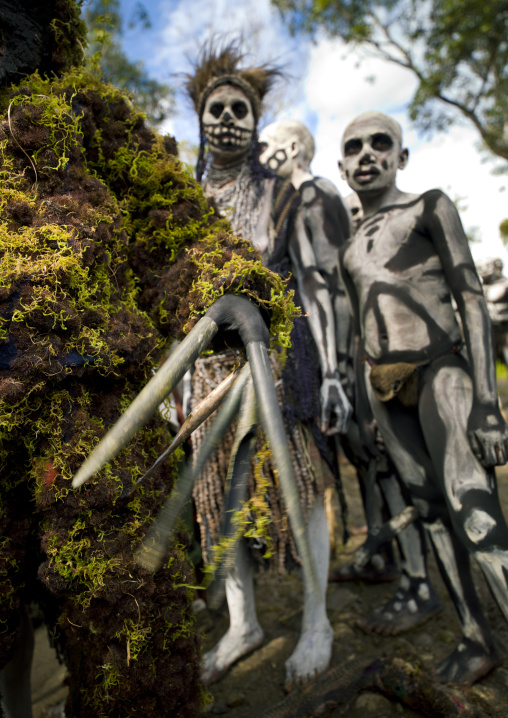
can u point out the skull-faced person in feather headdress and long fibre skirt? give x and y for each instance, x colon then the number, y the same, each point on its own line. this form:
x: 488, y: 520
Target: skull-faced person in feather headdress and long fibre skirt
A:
x: 260, y: 208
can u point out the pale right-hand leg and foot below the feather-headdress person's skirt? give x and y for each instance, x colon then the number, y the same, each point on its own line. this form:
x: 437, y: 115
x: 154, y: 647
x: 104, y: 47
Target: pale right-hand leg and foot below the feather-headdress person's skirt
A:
x: 314, y: 648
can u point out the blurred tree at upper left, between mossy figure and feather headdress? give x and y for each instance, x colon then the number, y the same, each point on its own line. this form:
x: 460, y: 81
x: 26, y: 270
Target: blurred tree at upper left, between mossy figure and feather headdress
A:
x: 105, y: 32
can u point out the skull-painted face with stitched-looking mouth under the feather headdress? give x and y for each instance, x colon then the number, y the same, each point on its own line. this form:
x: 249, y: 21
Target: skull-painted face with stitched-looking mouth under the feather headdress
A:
x: 228, y: 123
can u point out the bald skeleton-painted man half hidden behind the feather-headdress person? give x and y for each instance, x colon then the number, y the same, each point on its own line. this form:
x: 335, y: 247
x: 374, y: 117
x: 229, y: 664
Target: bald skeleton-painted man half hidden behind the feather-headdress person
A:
x: 323, y: 226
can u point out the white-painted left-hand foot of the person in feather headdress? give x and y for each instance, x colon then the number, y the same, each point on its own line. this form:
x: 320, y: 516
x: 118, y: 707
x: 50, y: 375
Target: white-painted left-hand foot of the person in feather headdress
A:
x: 232, y: 646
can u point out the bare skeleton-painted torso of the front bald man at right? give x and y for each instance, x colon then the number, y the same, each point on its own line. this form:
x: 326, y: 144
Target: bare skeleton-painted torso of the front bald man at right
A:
x: 404, y: 300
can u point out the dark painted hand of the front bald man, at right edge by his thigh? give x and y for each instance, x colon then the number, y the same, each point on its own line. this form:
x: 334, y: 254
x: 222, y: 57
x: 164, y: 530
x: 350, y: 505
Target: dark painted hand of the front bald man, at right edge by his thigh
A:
x: 488, y: 435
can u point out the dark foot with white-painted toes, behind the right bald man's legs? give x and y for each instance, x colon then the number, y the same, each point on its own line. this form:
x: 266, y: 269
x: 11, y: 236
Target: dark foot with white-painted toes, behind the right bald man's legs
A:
x: 407, y: 609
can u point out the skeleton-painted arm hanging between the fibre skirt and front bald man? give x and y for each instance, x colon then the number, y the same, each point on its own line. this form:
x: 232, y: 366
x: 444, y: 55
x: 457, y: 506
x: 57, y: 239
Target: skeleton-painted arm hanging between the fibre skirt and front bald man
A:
x: 335, y: 408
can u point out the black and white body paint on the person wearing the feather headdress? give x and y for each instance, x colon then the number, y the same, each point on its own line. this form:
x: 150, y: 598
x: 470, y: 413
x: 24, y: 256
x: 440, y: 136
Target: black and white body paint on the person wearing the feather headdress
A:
x: 245, y: 194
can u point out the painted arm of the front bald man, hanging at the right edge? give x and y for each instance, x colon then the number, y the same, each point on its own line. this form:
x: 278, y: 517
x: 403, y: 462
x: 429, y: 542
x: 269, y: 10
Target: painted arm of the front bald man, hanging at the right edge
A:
x: 487, y: 430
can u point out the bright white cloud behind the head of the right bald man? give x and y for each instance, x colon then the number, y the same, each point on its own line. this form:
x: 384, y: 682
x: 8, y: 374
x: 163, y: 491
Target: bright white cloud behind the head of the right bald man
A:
x: 337, y: 91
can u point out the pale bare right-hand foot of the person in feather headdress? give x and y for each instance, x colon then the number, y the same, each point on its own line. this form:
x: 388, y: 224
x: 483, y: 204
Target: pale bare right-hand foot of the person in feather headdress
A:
x: 311, y: 656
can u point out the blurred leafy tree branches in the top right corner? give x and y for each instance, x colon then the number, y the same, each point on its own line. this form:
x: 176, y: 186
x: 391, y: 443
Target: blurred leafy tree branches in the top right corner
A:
x: 457, y: 49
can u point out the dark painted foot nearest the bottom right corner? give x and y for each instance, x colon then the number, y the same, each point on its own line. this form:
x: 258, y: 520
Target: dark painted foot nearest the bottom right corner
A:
x: 469, y: 662
